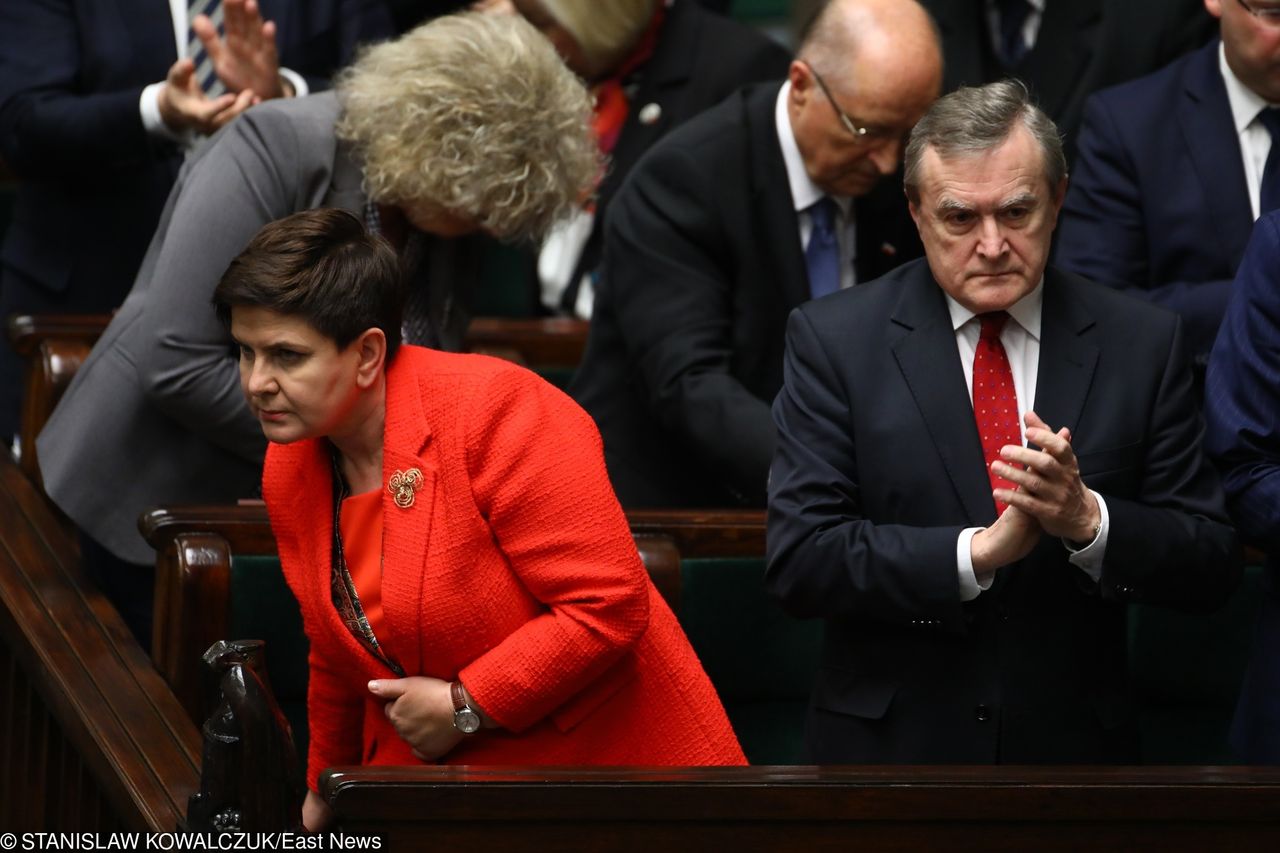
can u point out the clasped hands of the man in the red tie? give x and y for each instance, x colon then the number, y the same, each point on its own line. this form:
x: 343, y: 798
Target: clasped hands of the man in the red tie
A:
x: 1050, y: 498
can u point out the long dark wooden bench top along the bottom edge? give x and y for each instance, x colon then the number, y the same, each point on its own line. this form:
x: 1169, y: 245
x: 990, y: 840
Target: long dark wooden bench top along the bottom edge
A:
x: 811, y: 809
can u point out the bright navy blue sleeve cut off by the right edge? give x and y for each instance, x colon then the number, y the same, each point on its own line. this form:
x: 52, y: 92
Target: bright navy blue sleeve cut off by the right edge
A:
x: 1244, y: 393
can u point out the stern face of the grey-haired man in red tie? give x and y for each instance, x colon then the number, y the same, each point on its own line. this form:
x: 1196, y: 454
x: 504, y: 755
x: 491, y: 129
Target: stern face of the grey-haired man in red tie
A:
x: 986, y: 221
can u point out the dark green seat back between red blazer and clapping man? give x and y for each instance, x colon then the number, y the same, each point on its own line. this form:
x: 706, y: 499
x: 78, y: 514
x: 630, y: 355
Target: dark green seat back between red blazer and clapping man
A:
x: 761, y: 660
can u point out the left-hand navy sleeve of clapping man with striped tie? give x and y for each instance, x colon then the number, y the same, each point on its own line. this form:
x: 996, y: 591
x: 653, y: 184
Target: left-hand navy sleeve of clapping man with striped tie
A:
x: 51, y: 126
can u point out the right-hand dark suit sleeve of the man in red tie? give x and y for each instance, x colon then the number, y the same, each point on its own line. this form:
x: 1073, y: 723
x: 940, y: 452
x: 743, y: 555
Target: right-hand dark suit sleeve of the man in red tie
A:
x: 1172, y: 544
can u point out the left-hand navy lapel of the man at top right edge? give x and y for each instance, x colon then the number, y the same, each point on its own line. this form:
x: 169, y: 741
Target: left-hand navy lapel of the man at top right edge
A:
x: 1209, y: 134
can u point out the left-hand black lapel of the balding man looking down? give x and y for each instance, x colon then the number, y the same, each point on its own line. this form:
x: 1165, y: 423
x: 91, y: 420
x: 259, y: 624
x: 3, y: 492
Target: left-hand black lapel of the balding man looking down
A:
x: 775, y: 221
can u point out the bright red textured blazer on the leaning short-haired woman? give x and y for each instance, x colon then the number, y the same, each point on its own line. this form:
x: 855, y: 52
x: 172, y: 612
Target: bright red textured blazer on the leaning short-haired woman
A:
x: 514, y: 571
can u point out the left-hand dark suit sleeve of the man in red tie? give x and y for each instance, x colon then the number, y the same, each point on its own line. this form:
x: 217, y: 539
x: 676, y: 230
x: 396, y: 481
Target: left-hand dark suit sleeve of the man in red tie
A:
x: 825, y: 556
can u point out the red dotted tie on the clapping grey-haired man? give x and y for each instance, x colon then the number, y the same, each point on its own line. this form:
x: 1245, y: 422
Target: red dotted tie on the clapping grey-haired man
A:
x: 995, y: 403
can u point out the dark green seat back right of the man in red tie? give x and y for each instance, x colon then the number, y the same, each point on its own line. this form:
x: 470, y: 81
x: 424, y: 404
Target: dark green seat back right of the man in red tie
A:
x: 1186, y: 670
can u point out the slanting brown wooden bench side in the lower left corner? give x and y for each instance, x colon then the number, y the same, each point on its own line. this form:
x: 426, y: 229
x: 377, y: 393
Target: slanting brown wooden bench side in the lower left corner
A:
x: 92, y: 738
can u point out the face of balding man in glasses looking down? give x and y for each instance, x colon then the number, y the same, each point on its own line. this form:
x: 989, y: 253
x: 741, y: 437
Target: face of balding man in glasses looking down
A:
x: 888, y: 104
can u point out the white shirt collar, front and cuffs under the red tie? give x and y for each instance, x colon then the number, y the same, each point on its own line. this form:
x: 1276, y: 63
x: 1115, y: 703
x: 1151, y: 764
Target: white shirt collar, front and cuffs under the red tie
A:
x: 1021, y: 339
